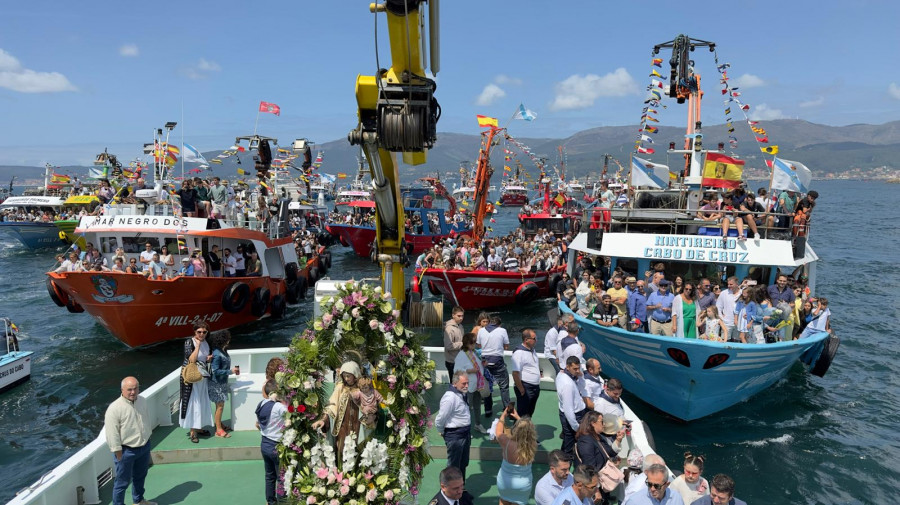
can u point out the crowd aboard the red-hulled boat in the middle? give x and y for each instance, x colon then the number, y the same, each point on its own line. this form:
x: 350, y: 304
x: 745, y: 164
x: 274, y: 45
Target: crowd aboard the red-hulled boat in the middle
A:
x: 510, y: 253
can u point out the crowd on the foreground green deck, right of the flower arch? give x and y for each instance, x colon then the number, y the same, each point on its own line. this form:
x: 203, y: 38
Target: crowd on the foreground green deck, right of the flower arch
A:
x: 598, y: 461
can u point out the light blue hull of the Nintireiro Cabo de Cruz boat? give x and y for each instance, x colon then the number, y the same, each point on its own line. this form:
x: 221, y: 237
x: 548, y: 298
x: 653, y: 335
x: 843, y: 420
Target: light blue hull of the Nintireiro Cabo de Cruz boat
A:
x: 643, y: 363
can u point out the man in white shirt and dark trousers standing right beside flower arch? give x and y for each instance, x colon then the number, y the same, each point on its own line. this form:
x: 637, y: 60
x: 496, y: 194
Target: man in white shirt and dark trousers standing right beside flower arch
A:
x: 454, y: 422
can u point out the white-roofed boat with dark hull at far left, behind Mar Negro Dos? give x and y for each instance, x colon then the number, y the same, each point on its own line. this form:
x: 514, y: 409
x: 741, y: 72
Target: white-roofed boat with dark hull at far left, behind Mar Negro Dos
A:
x: 33, y: 234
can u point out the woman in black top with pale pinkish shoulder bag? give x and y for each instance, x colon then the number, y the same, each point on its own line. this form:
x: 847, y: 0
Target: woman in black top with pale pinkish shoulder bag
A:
x: 597, y: 441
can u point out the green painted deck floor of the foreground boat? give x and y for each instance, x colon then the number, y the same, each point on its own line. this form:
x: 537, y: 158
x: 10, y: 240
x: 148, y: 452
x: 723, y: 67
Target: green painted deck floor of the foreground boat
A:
x: 230, y: 470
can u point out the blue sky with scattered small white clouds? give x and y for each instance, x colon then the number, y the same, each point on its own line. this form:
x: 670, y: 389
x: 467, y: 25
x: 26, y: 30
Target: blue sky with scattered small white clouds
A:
x: 76, y: 77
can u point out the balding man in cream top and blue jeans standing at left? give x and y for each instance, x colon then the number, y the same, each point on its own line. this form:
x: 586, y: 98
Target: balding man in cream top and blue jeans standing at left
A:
x: 127, y: 424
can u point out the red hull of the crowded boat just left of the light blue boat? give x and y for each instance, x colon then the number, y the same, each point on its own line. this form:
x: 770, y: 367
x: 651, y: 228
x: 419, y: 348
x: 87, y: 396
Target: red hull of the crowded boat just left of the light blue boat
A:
x: 483, y: 290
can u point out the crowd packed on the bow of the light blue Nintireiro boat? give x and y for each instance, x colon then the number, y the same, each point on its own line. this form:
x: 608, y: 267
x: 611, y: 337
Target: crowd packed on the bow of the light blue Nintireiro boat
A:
x: 661, y: 303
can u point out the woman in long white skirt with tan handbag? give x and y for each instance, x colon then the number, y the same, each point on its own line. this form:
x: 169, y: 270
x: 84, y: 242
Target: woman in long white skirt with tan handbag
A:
x: 195, y: 405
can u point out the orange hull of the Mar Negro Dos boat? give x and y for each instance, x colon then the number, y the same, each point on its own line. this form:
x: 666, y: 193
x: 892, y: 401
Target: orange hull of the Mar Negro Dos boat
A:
x: 142, y: 312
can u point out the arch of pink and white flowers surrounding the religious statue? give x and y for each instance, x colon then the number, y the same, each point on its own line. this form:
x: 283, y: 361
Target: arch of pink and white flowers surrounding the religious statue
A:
x: 386, y: 464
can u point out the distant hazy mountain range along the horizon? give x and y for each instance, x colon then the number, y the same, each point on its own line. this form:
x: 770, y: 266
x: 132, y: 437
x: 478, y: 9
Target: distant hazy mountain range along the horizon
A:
x: 825, y: 149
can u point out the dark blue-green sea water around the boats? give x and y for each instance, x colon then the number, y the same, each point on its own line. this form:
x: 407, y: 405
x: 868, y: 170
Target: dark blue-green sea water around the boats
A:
x: 805, y: 440
